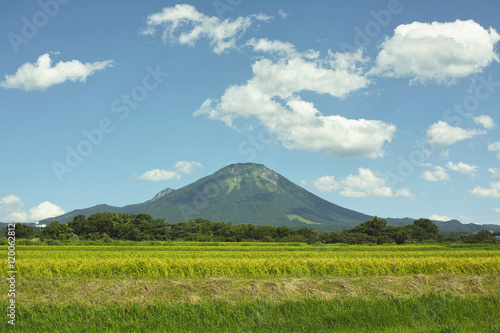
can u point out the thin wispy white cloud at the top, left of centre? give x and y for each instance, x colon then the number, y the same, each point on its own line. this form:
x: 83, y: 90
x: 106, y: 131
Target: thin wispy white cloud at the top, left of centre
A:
x: 185, y: 25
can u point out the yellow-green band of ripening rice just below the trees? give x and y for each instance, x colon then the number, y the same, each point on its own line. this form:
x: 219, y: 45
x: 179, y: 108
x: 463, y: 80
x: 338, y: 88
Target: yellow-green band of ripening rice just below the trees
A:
x: 263, y: 260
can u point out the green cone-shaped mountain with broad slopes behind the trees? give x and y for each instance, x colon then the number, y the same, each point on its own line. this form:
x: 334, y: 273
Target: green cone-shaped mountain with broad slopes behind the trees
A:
x: 249, y: 193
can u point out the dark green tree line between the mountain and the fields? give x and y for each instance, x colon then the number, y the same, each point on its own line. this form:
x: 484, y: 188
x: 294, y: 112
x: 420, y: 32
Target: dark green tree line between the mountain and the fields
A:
x: 142, y: 227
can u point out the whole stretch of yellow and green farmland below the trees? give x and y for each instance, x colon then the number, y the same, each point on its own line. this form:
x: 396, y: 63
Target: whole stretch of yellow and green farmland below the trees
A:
x: 258, y: 287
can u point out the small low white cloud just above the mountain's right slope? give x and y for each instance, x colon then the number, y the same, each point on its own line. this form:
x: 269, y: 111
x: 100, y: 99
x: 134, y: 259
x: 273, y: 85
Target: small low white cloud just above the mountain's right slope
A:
x: 364, y: 184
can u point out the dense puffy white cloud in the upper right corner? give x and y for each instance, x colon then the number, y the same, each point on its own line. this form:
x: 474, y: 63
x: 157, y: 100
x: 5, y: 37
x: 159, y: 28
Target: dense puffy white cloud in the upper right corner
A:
x: 440, y: 52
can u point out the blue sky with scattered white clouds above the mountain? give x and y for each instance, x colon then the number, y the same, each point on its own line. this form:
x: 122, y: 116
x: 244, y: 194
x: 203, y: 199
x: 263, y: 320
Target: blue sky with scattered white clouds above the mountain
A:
x: 389, y: 108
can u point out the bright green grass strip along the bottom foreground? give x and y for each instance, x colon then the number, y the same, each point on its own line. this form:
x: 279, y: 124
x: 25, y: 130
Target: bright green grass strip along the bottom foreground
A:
x: 427, y: 313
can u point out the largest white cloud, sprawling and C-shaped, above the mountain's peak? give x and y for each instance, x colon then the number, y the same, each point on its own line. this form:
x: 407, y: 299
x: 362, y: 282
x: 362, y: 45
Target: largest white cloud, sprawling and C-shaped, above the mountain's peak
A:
x: 272, y: 96
